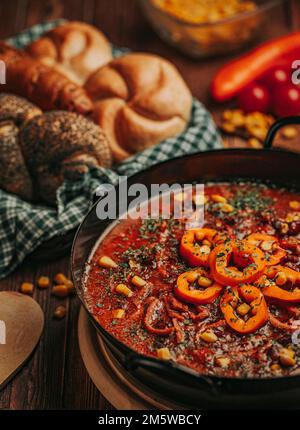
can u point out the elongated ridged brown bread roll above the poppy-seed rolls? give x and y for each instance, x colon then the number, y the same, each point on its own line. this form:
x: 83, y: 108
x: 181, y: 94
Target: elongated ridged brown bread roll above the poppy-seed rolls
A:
x: 41, y: 84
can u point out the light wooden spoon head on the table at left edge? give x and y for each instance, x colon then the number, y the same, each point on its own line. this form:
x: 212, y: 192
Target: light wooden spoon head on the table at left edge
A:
x: 21, y: 325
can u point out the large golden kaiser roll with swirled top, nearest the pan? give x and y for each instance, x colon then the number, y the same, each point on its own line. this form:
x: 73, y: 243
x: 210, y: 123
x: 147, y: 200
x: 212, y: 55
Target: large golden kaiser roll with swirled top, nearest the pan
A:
x: 139, y: 100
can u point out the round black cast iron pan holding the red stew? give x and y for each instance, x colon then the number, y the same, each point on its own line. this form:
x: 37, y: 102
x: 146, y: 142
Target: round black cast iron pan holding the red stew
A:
x: 178, y: 383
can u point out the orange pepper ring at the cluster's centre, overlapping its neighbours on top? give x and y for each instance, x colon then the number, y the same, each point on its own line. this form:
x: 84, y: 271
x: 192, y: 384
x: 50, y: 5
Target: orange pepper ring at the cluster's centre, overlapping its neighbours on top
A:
x: 247, y: 265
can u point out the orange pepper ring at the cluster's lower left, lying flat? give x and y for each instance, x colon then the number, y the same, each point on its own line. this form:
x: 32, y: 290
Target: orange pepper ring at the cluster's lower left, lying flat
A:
x: 197, y: 296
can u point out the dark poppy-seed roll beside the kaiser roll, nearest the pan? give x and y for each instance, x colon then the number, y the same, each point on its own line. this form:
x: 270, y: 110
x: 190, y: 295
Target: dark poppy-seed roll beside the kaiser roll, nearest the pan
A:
x: 59, y: 145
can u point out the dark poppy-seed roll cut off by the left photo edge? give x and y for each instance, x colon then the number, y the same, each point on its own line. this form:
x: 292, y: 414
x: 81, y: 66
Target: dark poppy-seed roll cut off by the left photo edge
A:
x: 14, y: 175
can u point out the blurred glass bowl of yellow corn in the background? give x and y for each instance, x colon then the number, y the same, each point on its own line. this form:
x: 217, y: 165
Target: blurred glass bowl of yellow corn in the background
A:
x: 218, y: 37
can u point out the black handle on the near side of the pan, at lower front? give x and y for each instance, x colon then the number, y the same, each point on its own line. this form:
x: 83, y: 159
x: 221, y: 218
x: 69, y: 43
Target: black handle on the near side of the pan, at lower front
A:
x: 133, y: 361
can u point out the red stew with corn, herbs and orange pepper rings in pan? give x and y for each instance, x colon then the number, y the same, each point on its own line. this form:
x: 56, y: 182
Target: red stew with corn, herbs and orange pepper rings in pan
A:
x: 223, y: 299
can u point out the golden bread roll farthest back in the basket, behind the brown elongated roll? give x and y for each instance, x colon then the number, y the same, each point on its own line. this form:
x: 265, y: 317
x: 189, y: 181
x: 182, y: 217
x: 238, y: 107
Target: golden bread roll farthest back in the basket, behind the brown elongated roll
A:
x: 75, y: 49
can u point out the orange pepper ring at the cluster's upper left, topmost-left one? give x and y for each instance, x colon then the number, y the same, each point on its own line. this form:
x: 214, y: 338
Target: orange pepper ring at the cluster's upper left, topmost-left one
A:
x: 192, y: 247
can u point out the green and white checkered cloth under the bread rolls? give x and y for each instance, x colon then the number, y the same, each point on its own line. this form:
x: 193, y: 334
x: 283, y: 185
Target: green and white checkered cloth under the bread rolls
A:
x: 24, y: 226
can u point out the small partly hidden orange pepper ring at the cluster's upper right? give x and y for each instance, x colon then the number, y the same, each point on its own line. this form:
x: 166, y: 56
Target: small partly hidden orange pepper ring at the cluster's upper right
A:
x: 269, y: 245
